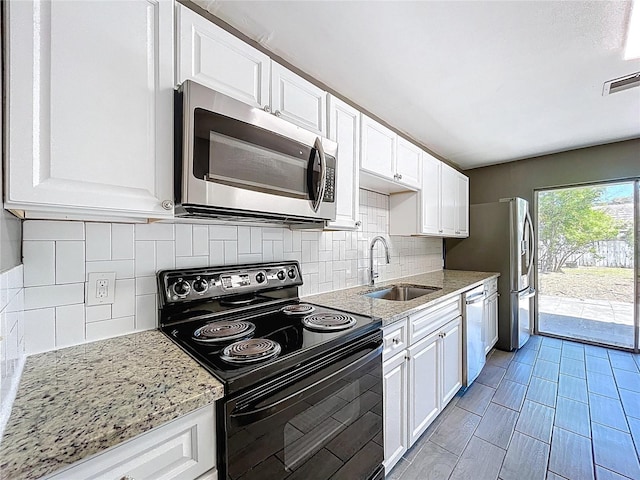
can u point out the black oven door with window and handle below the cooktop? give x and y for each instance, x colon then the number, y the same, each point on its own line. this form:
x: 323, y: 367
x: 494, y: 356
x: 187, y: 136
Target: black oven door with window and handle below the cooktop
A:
x: 317, y: 425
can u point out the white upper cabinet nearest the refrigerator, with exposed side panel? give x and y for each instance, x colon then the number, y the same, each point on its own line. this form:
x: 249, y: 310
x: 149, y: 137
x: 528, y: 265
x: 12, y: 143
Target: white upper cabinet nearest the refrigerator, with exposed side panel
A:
x: 440, y: 209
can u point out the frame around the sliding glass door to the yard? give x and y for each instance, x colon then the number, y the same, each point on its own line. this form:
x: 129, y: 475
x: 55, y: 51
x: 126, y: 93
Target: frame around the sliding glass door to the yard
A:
x: 636, y: 263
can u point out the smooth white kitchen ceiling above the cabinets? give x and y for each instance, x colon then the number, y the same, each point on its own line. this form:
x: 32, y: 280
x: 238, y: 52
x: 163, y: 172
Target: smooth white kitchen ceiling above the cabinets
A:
x: 477, y: 83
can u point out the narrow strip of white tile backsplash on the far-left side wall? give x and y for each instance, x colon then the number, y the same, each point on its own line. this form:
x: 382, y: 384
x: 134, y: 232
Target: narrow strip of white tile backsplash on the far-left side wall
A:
x: 11, y: 338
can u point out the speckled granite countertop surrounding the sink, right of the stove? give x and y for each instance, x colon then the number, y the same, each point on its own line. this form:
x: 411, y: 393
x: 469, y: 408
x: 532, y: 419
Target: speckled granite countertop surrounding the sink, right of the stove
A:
x: 452, y: 282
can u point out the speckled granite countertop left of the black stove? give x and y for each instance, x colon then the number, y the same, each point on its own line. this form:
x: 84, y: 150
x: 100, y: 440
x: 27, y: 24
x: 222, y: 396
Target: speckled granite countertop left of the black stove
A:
x: 78, y: 401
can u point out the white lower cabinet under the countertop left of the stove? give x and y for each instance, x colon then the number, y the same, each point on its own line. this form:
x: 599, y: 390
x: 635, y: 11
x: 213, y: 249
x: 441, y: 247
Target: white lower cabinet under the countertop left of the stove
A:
x: 183, y: 449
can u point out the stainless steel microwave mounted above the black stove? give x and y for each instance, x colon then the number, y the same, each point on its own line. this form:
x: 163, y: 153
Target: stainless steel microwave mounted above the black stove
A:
x: 234, y: 161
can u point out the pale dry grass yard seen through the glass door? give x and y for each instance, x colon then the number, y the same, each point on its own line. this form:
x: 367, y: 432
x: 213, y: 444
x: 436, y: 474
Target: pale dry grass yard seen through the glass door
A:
x: 597, y: 283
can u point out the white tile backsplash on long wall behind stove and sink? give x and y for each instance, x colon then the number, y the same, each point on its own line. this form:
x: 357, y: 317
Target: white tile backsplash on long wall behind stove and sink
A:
x: 59, y: 255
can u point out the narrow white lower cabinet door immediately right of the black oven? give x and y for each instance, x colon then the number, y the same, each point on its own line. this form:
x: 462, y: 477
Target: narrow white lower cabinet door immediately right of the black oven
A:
x: 395, y: 409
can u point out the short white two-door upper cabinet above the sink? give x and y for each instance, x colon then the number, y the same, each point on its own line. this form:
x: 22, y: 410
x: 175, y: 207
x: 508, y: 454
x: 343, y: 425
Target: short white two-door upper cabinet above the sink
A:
x: 388, y: 163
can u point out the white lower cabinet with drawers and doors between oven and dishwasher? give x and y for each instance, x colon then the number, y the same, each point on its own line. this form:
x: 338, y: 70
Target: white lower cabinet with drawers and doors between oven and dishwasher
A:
x: 421, y: 380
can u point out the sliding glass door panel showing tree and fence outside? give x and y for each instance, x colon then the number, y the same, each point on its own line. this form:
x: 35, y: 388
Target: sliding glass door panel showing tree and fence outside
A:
x: 587, y: 263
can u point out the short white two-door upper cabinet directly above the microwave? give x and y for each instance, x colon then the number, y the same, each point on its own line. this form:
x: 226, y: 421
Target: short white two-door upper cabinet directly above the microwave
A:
x: 215, y: 58
